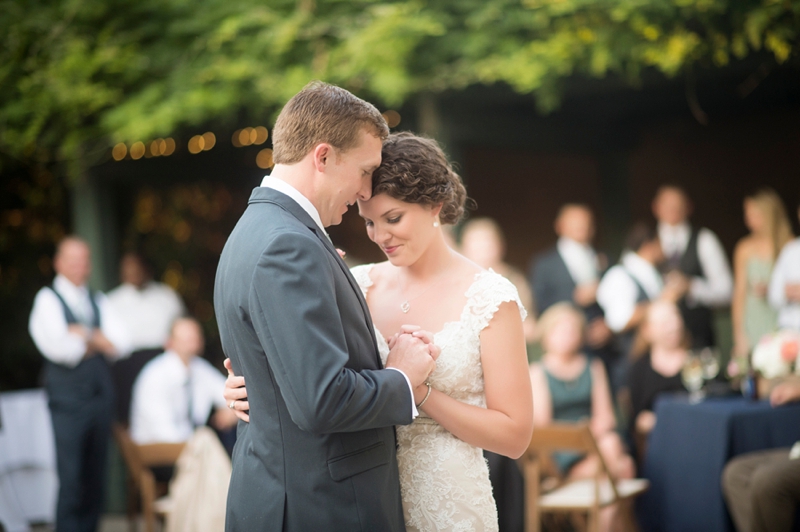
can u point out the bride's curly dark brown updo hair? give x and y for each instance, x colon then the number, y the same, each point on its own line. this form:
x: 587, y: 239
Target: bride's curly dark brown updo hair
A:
x: 415, y: 170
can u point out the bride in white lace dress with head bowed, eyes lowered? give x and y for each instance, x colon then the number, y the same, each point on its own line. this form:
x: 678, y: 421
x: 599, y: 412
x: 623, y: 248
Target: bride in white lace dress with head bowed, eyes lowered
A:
x: 479, y: 395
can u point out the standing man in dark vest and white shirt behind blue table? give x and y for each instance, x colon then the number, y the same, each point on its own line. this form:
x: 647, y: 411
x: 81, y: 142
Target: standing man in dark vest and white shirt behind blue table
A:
x: 696, y: 254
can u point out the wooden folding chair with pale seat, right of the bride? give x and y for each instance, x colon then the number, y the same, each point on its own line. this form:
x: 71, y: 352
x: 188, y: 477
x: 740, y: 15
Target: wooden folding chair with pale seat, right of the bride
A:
x: 584, y: 496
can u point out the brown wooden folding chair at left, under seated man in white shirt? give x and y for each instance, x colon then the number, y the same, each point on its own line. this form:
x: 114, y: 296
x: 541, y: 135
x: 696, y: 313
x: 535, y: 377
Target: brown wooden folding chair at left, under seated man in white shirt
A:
x: 139, y: 459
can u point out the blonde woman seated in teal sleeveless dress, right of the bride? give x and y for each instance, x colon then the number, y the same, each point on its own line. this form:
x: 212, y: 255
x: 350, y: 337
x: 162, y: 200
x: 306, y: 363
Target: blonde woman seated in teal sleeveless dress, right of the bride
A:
x: 571, y: 387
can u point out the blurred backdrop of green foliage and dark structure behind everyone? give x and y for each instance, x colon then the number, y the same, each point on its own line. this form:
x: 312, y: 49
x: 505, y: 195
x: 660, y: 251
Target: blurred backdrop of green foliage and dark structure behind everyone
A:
x: 144, y: 125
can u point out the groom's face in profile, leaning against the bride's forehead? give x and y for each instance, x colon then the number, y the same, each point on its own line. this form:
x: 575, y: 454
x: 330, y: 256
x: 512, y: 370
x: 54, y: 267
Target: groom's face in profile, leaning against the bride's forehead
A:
x: 348, y: 178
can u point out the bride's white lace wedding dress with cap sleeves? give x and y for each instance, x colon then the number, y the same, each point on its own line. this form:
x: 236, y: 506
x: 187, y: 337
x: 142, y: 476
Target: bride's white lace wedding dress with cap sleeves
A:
x: 444, y: 481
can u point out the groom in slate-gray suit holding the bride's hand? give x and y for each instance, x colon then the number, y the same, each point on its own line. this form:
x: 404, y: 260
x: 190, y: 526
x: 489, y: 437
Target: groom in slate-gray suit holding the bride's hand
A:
x: 319, y: 451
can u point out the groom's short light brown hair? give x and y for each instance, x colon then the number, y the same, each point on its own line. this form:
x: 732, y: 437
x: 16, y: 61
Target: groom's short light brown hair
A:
x: 323, y: 113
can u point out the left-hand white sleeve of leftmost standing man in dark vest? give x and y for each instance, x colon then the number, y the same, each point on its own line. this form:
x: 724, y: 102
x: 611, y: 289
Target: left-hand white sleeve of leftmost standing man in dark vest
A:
x: 49, y: 331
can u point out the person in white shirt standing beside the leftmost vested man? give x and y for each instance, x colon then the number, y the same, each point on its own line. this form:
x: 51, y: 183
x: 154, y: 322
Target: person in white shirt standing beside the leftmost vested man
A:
x: 149, y: 308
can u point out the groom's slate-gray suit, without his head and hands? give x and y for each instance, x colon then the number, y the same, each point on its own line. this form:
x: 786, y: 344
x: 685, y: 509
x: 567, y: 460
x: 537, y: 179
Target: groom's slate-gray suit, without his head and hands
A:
x: 319, y: 451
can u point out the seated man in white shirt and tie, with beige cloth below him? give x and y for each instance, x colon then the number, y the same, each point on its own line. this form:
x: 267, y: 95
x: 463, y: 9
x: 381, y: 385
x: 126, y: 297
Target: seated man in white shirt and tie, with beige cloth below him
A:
x: 174, y: 397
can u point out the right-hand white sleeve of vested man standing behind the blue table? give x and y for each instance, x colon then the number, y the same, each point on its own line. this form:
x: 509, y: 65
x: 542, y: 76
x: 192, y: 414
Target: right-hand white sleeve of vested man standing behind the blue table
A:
x: 716, y: 288
